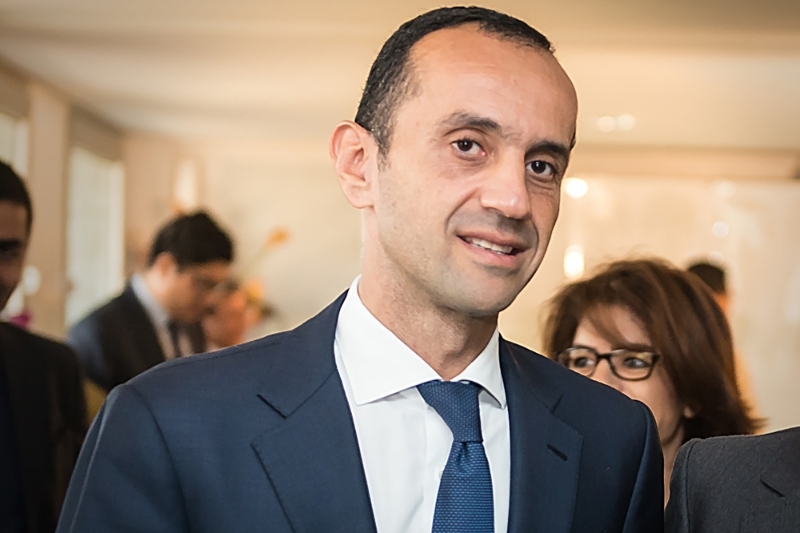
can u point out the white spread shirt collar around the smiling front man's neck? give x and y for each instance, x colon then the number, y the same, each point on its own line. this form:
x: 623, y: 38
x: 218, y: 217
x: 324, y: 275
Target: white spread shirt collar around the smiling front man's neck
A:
x: 378, y: 364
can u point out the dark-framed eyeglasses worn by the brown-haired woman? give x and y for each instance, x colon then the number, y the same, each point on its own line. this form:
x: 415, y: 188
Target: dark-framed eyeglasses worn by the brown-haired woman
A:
x: 627, y: 364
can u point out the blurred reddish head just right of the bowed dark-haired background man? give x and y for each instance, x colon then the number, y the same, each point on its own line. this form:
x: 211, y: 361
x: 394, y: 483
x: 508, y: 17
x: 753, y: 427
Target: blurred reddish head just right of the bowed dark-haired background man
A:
x: 227, y: 320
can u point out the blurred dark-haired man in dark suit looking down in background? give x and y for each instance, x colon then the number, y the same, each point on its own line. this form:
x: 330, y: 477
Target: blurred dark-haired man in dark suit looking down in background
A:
x: 157, y: 316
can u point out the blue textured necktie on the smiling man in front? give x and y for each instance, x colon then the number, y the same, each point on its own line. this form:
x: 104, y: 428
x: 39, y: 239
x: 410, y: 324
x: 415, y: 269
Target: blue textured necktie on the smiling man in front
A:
x: 464, y: 503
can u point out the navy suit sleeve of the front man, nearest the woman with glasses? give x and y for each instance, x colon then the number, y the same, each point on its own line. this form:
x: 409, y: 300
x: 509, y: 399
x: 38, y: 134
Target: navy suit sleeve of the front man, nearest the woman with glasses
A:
x: 646, y: 510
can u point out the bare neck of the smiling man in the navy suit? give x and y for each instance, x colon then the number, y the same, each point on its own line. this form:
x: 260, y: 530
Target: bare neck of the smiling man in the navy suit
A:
x: 445, y: 339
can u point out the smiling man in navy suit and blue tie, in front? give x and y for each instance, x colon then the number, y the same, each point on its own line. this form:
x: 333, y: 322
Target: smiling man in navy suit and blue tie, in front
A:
x: 399, y: 408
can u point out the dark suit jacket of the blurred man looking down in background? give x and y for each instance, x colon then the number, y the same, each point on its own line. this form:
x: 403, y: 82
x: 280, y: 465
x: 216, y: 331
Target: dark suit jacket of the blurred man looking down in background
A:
x: 119, y: 341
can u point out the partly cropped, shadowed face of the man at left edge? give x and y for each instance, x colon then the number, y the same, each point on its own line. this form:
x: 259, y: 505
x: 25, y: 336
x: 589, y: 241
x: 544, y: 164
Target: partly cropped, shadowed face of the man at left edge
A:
x: 13, y: 244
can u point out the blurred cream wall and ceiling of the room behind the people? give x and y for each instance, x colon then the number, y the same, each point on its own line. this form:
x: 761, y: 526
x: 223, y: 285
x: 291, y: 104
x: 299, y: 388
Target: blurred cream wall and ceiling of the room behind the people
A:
x: 121, y: 113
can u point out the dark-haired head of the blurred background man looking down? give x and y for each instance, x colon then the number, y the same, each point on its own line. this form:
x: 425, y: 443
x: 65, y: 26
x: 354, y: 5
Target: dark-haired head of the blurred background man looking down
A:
x: 189, y: 257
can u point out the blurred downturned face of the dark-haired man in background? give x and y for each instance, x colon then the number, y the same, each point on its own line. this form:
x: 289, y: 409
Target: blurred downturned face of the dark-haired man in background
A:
x: 190, y: 290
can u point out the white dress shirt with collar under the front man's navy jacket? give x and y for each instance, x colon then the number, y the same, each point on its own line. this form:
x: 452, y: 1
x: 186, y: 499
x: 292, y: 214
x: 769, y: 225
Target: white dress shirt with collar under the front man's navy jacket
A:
x: 404, y: 443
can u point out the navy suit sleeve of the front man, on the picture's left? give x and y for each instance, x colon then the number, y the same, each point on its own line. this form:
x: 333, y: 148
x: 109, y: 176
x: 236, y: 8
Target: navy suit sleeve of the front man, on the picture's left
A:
x: 125, y: 480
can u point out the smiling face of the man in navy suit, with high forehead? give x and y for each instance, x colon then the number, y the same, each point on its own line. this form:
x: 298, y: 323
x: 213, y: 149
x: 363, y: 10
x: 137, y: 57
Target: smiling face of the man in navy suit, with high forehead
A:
x: 468, y: 194
